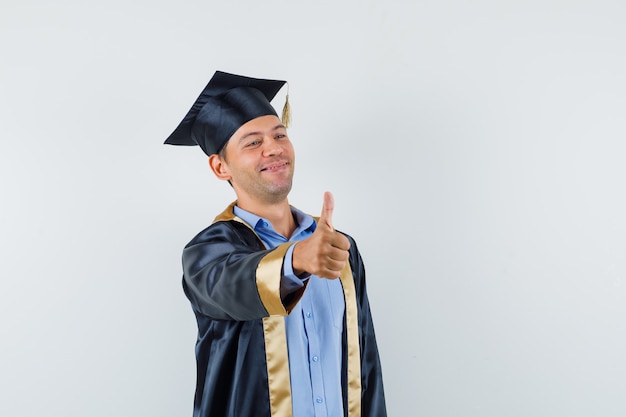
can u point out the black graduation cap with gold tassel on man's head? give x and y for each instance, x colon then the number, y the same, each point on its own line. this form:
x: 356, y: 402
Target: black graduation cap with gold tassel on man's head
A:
x: 227, y: 102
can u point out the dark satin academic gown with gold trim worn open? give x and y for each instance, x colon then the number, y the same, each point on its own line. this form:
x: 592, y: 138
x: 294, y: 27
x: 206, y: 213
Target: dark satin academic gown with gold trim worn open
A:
x: 233, y: 284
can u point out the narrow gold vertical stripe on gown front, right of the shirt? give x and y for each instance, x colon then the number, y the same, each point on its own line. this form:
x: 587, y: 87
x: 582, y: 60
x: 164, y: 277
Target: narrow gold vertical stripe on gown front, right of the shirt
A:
x: 354, y: 353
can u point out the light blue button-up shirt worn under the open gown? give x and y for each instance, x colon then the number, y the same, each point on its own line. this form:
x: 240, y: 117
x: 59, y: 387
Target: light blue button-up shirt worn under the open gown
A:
x: 314, y: 327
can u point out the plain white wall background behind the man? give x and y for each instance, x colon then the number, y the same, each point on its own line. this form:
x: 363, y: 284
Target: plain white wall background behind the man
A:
x: 475, y: 151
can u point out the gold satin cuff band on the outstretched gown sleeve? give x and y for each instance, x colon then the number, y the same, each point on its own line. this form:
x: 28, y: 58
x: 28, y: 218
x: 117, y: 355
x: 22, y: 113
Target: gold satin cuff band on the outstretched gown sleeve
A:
x: 268, y: 275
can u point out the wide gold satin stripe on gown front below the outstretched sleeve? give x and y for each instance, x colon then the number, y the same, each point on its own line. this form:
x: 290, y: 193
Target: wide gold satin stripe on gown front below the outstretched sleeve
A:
x: 277, y: 366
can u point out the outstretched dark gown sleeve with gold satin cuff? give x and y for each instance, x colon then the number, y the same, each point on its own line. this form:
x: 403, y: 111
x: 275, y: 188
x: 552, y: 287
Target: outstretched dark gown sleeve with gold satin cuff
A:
x: 229, y: 275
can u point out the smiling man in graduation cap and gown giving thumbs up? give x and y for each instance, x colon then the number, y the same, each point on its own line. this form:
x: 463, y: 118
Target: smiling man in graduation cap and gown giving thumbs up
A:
x: 284, y: 326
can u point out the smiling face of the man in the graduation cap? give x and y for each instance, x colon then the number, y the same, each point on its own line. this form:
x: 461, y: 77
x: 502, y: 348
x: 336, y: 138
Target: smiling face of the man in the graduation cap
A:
x: 259, y: 159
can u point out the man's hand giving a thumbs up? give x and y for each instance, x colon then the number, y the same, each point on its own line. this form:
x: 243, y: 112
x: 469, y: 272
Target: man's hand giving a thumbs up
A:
x: 325, y: 252
